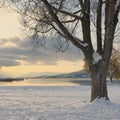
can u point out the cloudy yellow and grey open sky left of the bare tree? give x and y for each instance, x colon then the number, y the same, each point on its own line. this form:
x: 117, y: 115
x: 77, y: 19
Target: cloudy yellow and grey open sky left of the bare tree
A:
x: 18, y: 57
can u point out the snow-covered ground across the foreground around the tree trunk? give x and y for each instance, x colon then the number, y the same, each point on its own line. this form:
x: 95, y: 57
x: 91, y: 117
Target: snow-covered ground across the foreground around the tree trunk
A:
x: 57, y: 103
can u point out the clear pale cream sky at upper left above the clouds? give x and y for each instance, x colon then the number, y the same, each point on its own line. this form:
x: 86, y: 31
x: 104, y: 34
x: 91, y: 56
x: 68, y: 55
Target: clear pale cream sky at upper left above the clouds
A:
x: 9, y: 23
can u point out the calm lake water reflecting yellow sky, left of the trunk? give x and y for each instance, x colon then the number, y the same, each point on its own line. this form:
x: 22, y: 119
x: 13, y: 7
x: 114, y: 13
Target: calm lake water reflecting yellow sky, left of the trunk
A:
x: 48, y: 82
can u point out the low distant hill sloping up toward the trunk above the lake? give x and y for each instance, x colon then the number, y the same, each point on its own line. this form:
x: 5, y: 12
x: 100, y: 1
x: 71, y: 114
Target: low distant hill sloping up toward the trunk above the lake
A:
x: 78, y: 74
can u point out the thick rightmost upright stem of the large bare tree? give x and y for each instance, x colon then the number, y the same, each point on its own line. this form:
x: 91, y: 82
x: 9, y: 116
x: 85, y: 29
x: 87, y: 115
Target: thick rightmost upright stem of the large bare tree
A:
x: 110, y: 25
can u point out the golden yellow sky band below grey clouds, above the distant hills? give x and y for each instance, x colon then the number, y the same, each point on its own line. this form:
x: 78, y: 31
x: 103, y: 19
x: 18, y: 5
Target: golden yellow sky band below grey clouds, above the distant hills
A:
x: 61, y: 67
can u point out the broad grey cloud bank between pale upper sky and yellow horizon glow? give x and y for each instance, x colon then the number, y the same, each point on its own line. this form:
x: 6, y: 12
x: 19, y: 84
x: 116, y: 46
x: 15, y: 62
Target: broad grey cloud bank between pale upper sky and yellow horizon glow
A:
x: 15, y: 50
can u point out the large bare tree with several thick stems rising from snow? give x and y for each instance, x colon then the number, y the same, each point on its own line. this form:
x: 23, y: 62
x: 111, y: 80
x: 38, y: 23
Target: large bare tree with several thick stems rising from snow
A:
x: 68, y: 18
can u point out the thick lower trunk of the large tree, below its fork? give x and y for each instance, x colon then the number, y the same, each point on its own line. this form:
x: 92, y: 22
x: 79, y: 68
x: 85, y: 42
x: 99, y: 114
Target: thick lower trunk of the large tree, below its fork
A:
x: 98, y: 83
